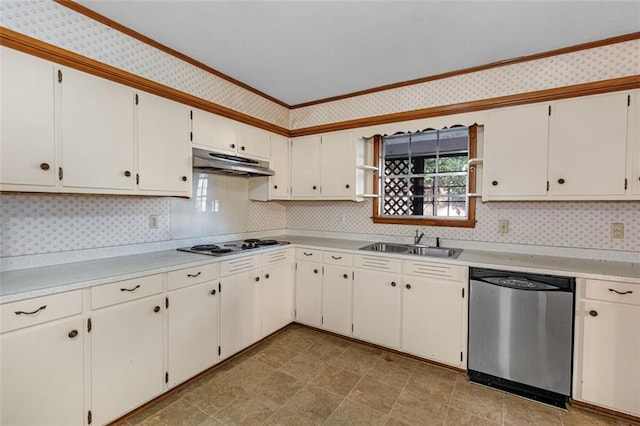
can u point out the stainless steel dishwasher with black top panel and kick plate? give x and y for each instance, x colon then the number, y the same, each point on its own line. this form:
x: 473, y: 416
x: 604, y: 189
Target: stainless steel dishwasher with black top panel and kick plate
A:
x: 521, y: 333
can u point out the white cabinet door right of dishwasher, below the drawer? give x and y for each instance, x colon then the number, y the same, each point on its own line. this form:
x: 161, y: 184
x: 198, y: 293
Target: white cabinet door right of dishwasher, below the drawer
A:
x: 611, y: 350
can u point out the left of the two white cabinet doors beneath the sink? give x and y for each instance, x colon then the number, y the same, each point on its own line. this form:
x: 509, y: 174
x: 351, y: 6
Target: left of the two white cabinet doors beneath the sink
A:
x: 376, y: 307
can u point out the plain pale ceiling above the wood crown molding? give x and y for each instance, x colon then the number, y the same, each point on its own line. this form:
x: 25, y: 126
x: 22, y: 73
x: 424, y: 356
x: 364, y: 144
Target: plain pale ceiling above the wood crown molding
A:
x: 301, y: 51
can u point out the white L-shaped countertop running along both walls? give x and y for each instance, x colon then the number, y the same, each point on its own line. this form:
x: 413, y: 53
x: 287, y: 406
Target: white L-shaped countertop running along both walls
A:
x: 33, y: 282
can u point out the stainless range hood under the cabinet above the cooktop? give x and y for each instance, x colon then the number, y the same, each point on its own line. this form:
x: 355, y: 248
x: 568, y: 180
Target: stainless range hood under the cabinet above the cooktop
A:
x: 224, y: 164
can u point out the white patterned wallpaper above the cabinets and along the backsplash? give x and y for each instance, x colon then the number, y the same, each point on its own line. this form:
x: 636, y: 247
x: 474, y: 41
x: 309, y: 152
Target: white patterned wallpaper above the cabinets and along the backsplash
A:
x: 45, y: 223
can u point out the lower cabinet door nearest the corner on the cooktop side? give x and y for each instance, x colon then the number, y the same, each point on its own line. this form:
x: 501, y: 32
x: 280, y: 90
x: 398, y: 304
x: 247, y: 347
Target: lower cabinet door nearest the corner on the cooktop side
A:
x: 277, y: 297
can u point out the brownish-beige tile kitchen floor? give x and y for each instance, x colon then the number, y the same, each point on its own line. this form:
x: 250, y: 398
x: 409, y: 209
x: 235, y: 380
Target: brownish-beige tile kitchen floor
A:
x: 304, y: 377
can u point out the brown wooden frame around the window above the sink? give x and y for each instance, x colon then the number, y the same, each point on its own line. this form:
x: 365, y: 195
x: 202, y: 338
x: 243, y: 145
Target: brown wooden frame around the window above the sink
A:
x: 470, y: 222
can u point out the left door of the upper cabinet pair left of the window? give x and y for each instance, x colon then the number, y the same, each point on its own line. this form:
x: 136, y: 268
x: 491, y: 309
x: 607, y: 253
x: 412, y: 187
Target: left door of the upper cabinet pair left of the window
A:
x: 305, y: 167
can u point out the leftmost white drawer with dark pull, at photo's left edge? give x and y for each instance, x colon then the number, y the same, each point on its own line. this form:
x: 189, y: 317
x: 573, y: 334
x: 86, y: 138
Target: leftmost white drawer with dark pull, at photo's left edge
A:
x: 38, y: 310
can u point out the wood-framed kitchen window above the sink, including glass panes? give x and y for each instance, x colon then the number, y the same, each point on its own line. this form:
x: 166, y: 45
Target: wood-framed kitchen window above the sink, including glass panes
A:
x: 424, y: 177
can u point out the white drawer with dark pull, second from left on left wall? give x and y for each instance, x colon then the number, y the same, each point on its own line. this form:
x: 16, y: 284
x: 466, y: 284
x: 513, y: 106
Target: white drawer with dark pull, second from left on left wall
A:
x: 124, y: 291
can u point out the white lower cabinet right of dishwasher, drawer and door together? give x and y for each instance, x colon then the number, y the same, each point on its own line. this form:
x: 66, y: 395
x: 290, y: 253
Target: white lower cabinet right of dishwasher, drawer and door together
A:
x: 607, y: 366
